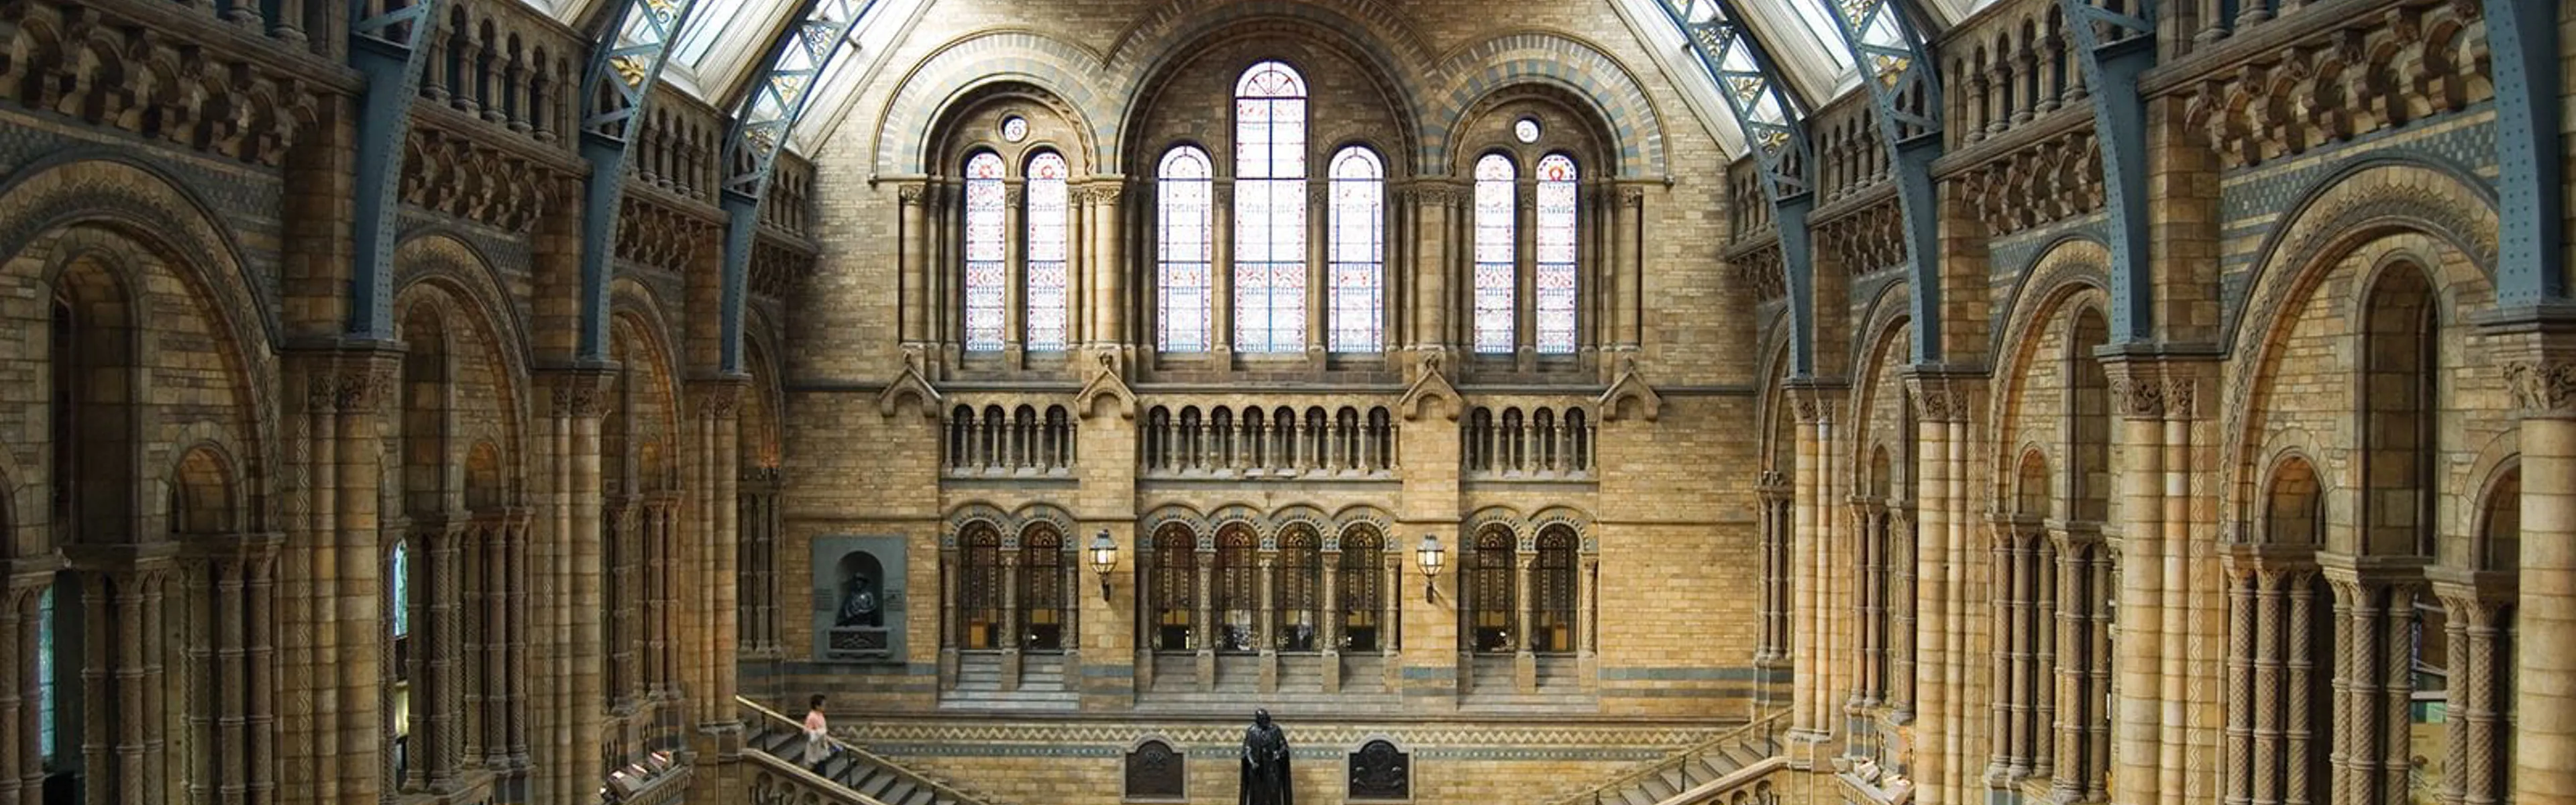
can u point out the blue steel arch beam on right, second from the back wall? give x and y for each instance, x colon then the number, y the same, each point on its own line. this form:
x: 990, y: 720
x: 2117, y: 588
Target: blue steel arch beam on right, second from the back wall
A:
x: 1895, y: 63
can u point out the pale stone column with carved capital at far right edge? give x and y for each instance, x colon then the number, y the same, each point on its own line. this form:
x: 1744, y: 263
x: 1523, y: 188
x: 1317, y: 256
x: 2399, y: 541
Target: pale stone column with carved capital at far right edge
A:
x: 2544, y: 383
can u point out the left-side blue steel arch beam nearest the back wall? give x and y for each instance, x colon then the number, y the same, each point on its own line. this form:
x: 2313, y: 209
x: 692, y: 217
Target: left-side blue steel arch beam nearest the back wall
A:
x: 761, y: 128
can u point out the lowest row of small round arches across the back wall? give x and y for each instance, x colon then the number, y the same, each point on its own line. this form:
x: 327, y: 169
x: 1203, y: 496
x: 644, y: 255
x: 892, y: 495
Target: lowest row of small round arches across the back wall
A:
x: 1284, y: 587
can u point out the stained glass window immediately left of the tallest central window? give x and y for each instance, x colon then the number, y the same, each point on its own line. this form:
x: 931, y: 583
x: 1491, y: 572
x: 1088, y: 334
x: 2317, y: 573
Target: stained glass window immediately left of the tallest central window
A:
x: 1181, y: 195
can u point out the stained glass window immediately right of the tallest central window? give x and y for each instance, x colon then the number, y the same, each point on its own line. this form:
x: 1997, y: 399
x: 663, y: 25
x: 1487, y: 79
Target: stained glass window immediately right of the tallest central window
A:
x: 1359, y: 252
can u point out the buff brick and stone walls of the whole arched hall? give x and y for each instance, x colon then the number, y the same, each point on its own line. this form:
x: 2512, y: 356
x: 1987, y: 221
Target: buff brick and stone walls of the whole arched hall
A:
x: 2304, y: 543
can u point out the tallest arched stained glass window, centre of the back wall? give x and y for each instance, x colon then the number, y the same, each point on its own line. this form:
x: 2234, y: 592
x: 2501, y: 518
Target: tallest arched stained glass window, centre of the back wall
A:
x: 1271, y: 210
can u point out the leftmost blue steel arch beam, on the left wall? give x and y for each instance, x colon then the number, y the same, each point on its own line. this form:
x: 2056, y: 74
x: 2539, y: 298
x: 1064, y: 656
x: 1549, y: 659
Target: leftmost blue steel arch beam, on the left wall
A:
x: 385, y: 45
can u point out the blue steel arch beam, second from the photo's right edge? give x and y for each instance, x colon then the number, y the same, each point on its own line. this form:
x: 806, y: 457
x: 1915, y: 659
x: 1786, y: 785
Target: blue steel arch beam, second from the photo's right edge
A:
x: 2114, y: 50
